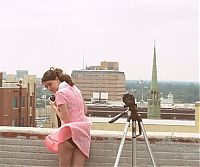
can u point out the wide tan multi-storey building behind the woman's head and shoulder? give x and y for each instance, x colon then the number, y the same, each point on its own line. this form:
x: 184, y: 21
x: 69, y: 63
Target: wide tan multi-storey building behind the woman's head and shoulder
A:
x: 108, y: 80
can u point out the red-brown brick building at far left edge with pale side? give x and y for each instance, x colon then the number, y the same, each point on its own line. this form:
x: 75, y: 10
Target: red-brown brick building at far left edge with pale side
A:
x: 17, y: 102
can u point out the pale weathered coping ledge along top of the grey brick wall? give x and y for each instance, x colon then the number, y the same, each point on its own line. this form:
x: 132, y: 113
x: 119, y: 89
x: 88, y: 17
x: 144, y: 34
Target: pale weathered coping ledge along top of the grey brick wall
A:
x: 40, y: 133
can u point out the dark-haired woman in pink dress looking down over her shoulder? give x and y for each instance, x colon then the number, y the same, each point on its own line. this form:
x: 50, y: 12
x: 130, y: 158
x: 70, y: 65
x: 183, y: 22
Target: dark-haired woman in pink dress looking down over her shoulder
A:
x: 72, y: 140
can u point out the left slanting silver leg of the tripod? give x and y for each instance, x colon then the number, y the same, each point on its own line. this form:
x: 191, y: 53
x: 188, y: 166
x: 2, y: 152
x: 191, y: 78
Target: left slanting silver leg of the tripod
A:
x: 121, y: 144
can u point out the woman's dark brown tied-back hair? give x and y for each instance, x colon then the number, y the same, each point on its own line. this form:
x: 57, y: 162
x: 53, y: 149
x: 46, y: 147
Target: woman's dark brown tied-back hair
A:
x: 52, y: 73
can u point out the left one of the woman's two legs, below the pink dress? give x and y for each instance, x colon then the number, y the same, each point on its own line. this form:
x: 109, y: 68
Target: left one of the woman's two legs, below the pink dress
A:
x: 65, y: 151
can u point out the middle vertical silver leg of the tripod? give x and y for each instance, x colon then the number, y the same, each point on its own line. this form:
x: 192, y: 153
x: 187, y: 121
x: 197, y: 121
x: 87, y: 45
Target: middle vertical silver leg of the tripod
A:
x: 134, y: 143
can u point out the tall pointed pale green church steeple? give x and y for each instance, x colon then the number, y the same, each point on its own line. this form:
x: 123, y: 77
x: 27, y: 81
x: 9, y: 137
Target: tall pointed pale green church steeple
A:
x: 154, y: 101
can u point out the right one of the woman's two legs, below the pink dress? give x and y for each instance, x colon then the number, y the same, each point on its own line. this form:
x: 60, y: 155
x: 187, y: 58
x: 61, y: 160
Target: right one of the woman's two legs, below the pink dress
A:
x: 78, y: 158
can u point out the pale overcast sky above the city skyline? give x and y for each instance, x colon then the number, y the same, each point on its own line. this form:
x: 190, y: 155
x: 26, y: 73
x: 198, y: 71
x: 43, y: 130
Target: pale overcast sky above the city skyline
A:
x: 72, y: 34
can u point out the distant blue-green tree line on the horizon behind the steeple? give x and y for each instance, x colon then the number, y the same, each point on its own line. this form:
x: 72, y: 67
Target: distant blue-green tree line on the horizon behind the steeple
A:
x: 183, y: 92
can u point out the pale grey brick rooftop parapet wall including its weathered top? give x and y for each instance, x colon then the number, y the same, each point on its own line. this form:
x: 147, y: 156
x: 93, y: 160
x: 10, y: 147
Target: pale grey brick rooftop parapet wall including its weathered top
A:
x: 23, y: 146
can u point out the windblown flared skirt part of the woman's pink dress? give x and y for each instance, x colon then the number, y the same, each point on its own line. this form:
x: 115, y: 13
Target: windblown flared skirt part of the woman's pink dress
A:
x: 78, y: 131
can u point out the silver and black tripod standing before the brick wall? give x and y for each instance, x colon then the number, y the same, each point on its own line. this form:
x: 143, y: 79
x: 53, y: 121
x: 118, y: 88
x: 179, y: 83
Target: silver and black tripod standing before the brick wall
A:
x: 133, y: 116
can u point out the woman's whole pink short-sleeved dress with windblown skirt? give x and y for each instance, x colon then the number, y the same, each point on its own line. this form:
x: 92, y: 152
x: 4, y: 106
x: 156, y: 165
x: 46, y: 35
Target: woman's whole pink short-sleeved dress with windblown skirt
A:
x: 78, y: 128
